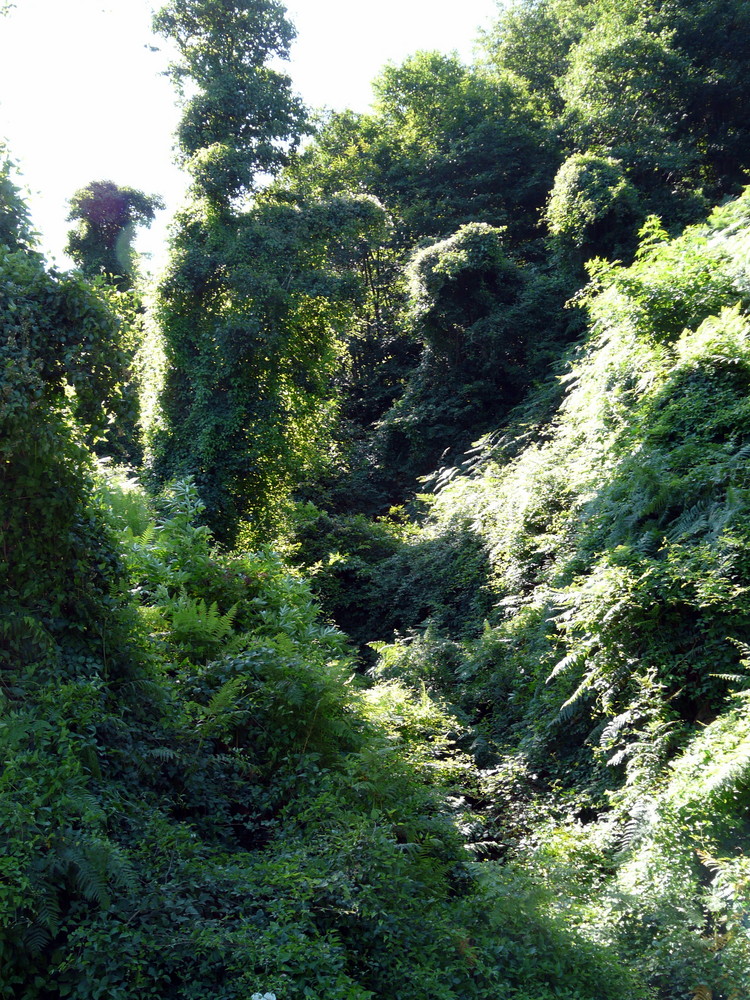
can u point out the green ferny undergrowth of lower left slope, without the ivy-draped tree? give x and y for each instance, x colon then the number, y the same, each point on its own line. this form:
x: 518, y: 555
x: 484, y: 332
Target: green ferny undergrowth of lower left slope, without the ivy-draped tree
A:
x: 275, y: 830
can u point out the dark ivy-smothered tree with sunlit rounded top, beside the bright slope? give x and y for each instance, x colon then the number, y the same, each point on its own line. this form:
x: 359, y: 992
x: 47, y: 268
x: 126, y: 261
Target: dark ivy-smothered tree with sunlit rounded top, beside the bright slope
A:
x: 475, y: 310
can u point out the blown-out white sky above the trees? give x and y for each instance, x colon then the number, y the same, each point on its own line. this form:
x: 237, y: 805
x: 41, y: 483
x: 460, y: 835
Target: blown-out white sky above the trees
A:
x: 83, y: 96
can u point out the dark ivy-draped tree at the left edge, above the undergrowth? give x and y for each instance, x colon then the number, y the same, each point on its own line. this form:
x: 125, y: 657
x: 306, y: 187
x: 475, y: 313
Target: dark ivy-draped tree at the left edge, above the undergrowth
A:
x: 60, y: 363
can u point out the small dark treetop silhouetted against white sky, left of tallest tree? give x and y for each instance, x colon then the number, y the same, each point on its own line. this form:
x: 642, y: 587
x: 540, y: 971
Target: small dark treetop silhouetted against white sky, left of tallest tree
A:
x: 107, y: 217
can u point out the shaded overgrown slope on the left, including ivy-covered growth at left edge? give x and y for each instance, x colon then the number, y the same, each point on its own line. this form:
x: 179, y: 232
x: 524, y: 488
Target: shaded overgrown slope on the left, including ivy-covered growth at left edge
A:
x: 196, y: 799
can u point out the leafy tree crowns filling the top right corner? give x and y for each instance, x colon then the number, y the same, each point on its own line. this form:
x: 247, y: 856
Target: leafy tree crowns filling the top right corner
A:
x: 660, y: 86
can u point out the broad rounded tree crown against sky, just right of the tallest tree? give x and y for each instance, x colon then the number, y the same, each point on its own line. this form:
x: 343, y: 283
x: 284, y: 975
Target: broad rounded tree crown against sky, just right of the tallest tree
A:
x: 446, y: 145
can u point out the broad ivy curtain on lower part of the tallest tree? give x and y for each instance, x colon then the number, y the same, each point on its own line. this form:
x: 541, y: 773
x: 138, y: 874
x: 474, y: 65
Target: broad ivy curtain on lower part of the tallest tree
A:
x: 250, y: 319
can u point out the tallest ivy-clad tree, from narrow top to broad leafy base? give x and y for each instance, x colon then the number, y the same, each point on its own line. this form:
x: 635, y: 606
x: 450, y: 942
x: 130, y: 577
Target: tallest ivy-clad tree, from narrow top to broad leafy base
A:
x: 253, y: 300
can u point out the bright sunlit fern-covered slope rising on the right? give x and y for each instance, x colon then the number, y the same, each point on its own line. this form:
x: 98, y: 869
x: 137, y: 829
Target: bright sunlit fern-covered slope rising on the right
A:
x: 617, y: 543
